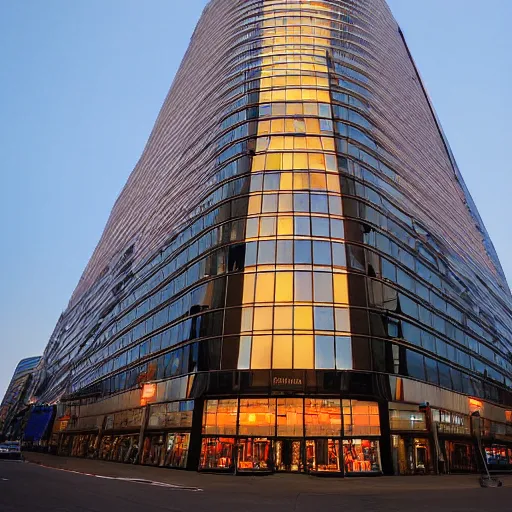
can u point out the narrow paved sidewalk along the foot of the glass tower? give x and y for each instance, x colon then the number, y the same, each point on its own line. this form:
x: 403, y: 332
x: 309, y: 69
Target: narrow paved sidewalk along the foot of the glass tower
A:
x: 273, y: 483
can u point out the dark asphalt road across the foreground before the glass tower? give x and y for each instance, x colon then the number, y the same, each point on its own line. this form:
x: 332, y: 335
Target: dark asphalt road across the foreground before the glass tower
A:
x: 26, y: 487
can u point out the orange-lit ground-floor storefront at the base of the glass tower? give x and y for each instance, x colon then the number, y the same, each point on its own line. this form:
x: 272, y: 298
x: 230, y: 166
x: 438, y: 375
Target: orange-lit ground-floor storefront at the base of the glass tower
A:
x: 318, y: 435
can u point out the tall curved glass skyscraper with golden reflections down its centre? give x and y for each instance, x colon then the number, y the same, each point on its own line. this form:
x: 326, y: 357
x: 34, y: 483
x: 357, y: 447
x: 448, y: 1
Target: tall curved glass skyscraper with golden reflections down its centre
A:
x: 295, y: 277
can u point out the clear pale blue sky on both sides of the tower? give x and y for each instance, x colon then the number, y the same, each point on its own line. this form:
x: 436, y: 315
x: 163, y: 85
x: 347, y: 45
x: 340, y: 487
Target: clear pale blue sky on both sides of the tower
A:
x: 81, y: 84
